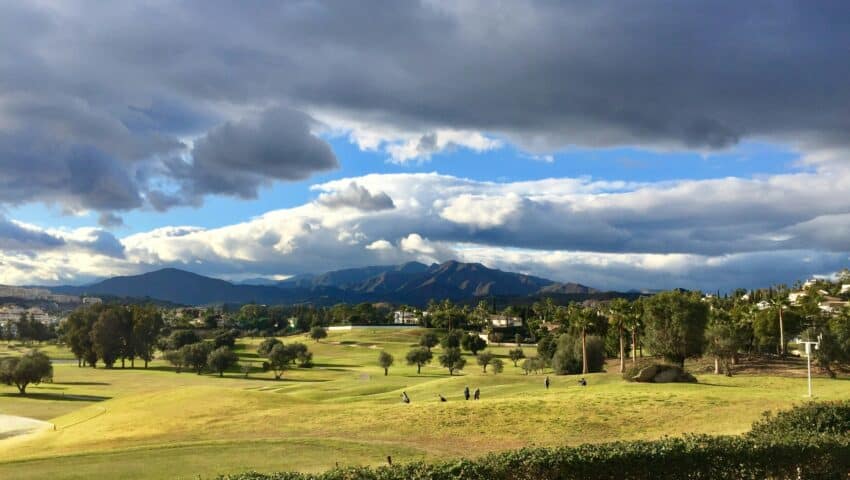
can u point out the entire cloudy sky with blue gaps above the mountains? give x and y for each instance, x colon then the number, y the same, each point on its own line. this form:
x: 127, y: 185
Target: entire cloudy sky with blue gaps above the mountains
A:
x: 621, y: 145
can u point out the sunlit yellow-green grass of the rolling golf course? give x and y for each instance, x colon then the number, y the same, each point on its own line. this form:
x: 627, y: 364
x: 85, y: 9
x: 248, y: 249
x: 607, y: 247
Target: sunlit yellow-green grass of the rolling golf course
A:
x: 158, y: 424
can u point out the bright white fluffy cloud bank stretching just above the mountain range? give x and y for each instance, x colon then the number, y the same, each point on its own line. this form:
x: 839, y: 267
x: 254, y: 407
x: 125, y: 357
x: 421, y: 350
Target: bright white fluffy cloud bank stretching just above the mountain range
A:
x: 605, y: 234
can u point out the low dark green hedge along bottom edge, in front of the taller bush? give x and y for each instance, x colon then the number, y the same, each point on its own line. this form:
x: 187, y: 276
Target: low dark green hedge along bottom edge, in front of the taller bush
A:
x: 694, y: 457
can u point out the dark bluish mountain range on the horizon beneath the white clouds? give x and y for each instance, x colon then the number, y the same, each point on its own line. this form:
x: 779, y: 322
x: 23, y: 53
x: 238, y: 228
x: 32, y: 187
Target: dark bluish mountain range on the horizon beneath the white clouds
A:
x: 410, y: 283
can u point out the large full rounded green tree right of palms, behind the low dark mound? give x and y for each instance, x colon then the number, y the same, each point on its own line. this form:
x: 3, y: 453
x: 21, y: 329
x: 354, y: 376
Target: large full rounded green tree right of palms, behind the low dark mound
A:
x: 675, y: 325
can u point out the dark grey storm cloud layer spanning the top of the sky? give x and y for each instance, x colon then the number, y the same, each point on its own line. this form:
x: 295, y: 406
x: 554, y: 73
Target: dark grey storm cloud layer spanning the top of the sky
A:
x: 124, y: 83
